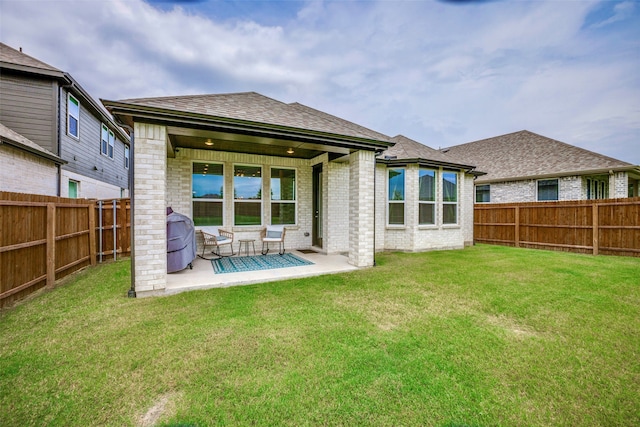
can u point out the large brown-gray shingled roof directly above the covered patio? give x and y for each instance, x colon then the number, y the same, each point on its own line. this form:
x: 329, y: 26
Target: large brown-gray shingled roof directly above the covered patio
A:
x: 256, y: 108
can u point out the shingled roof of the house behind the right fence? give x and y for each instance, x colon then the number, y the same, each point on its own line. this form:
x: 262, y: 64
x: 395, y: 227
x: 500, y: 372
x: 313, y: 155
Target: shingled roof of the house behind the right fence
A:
x: 525, y: 154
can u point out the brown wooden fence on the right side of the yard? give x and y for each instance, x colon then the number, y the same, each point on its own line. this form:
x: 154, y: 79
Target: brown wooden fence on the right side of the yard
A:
x: 607, y: 227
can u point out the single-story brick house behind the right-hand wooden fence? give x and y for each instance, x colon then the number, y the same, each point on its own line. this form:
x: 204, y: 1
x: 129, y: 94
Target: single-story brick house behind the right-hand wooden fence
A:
x: 527, y: 167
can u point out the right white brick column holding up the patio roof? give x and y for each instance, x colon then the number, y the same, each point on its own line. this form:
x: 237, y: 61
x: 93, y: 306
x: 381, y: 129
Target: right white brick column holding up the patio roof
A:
x: 361, y: 208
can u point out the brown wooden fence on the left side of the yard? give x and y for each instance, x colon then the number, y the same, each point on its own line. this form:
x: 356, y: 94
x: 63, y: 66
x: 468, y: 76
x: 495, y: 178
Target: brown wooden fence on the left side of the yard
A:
x: 43, y: 239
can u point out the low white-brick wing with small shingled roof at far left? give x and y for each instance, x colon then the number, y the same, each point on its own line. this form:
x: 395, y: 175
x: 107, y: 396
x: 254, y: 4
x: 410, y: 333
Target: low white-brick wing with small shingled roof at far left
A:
x: 18, y: 153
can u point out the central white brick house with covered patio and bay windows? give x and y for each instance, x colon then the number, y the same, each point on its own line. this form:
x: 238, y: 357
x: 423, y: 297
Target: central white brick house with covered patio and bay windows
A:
x: 243, y: 161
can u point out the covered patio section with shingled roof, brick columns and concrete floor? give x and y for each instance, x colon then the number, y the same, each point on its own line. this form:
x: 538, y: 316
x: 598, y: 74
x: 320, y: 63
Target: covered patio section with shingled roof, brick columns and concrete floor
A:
x: 242, y: 162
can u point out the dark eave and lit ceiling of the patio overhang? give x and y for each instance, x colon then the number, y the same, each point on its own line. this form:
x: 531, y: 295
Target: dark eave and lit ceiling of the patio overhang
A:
x: 207, y: 132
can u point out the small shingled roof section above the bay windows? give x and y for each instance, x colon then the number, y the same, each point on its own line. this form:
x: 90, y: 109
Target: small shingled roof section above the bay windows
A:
x: 408, y: 149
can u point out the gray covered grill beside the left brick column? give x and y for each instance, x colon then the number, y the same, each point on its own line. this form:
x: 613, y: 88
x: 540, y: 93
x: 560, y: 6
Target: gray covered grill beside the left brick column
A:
x: 181, y: 242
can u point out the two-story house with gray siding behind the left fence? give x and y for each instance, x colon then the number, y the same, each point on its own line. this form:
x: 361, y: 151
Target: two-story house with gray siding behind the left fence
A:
x: 48, y: 107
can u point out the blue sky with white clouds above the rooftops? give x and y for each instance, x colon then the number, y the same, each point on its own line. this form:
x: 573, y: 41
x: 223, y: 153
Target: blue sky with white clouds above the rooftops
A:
x: 440, y: 72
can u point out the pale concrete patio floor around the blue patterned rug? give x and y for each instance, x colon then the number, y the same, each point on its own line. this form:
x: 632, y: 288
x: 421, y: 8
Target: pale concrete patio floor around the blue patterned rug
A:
x: 202, y: 275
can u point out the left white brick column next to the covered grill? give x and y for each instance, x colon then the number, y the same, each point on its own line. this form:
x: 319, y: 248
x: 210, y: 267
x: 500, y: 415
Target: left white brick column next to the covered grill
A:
x: 150, y: 230
